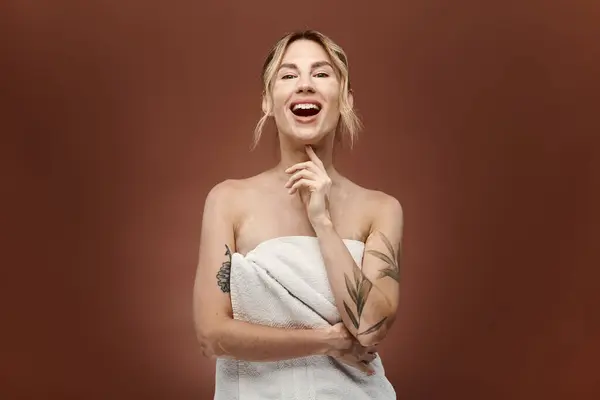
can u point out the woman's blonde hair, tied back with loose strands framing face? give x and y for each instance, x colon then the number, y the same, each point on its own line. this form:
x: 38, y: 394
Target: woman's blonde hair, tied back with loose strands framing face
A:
x: 350, y: 123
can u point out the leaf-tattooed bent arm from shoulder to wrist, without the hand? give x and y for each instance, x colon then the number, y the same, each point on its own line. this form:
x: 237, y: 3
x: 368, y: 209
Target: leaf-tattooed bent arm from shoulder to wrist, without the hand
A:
x: 366, y: 298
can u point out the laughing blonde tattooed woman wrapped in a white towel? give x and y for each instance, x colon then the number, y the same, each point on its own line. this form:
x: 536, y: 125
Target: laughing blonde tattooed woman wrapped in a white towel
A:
x: 302, y: 206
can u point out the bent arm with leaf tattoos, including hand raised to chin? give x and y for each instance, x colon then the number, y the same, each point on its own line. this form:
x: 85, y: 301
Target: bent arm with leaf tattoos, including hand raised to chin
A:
x: 367, y: 297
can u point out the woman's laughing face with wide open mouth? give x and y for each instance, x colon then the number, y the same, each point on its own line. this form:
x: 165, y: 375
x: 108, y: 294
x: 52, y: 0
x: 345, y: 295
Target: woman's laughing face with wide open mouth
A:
x: 305, y: 94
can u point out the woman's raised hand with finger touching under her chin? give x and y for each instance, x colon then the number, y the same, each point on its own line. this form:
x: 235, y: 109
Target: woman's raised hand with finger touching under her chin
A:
x: 312, y: 182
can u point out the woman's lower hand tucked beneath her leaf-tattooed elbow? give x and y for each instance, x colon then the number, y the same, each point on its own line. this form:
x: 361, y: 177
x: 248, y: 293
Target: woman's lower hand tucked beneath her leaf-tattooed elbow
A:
x: 346, y: 349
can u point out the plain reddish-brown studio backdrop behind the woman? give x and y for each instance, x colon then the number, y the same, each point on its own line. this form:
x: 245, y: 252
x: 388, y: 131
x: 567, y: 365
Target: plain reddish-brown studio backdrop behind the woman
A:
x: 118, y: 117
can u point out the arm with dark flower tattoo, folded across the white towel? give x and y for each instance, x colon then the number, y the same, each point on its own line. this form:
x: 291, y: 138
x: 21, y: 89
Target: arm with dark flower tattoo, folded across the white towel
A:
x: 218, y: 333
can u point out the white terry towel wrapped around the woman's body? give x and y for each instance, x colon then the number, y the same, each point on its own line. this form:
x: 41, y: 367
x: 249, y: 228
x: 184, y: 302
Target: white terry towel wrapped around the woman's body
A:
x: 283, y: 283
